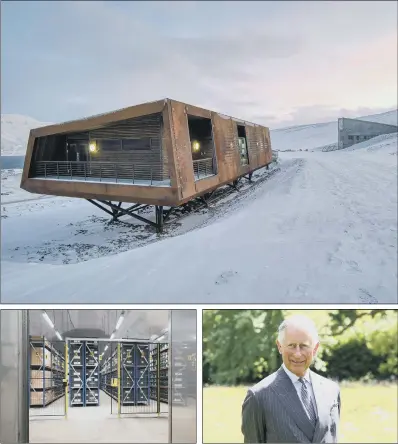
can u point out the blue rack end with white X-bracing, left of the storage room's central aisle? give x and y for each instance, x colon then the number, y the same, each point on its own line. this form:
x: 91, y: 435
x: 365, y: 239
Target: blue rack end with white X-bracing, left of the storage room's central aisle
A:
x: 84, y: 381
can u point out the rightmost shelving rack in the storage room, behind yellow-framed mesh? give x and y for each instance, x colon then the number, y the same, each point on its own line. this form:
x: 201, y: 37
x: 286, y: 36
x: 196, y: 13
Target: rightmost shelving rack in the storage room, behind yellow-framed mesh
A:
x: 159, y: 376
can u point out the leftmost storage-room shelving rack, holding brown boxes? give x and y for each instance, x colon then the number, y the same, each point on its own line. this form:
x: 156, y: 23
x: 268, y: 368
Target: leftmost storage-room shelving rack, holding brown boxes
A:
x: 47, y: 367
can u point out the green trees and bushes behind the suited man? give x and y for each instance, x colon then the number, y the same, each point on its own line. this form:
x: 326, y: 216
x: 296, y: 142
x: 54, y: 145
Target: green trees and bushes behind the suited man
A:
x: 239, y: 345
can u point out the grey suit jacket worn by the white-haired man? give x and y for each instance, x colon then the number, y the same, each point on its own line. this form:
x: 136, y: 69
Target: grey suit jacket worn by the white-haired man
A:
x: 273, y: 412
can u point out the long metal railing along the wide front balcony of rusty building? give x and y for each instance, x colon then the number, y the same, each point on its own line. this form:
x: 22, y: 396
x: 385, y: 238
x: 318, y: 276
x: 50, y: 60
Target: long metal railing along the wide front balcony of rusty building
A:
x: 118, y: 172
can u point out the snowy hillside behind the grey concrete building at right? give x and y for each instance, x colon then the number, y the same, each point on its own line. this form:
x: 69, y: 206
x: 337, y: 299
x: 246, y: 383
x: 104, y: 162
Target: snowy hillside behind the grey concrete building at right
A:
x: 318, y: 135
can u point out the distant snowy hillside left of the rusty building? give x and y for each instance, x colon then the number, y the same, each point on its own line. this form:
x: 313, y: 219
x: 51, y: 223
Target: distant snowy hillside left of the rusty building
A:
x: 15, y: 133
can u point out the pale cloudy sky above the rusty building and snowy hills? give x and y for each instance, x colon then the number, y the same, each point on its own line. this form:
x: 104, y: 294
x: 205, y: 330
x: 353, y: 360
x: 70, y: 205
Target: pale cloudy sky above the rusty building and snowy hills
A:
x: 276, y: 63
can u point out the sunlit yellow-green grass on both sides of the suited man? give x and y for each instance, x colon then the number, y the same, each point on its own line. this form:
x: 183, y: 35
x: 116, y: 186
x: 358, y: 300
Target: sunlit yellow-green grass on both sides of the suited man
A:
x: 369, y: 413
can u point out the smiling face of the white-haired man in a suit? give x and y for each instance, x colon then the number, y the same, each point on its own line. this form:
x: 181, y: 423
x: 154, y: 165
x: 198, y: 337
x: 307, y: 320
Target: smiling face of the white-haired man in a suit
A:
x: 297, y: 349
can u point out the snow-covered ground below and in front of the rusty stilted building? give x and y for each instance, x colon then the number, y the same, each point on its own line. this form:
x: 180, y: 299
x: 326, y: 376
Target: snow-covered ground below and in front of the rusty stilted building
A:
x: 321, y: 228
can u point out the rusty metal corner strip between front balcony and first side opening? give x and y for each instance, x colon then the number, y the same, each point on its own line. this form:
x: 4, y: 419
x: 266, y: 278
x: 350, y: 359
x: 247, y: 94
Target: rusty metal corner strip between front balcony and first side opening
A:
x: 182, y: 149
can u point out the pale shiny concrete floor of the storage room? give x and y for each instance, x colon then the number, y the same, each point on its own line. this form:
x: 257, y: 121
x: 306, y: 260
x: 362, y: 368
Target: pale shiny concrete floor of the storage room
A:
x: 95, y: 424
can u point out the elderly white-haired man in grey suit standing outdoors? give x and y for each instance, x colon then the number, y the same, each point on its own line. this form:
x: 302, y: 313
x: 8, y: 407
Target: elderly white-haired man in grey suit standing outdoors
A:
x: 294, y: 404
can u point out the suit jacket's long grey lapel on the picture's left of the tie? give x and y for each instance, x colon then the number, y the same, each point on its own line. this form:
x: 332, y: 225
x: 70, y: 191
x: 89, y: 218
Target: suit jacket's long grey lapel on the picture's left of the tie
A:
x: 287, y: 394
